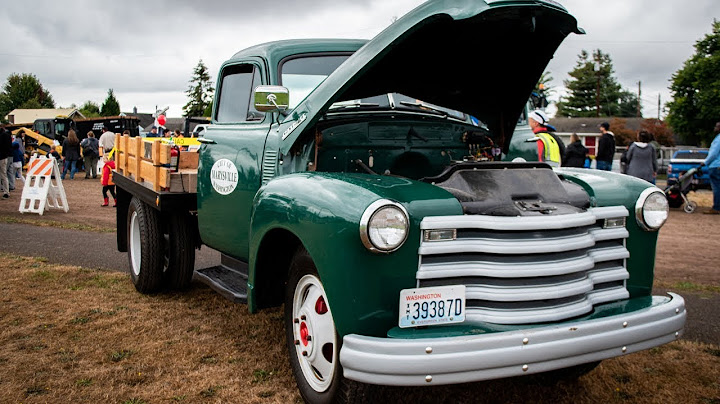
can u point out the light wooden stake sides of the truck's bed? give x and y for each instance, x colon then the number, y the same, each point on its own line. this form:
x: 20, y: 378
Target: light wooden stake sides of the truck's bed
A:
x: 147, y: 162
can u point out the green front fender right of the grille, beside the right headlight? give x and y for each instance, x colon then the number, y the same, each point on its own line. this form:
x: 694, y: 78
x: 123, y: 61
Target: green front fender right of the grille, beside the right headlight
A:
x: 611, y: 189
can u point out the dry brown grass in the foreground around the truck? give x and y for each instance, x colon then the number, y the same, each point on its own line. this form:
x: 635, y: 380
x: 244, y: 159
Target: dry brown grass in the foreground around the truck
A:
x: 69, y: 334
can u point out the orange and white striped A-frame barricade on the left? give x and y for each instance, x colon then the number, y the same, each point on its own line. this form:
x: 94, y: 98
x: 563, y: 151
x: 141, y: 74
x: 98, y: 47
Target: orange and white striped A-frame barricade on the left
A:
x: 43, y: 186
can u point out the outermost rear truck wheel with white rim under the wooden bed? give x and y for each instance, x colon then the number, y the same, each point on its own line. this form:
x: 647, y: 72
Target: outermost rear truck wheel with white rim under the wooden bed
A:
x: 145, y: 247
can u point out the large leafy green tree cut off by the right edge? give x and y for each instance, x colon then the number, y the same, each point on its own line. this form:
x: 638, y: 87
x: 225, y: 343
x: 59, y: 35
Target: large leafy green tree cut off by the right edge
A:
x: 695, y: 89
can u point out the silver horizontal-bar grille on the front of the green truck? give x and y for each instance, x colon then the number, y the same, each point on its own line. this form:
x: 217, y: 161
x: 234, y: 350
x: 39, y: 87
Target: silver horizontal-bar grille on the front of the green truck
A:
x: 529, y: 269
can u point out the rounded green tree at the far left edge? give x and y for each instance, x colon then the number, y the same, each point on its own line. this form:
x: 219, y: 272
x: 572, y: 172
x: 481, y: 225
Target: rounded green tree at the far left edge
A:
x: 23, y: 91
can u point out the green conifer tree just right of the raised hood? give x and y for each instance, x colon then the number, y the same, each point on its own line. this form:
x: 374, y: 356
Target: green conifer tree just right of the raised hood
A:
x: 591, y: 85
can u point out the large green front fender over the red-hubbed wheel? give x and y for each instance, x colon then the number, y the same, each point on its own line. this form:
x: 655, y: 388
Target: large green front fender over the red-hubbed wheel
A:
x: 323, y: 211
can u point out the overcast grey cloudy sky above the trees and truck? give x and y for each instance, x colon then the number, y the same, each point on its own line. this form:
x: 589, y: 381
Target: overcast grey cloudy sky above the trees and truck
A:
x: 146, y: 50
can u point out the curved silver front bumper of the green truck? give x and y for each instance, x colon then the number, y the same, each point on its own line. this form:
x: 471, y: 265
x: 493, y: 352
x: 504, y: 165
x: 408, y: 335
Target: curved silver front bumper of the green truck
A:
x: 451, y: 360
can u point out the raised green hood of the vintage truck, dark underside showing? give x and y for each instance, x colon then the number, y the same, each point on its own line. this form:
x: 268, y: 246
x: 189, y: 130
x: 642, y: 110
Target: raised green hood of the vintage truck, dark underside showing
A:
x: 482, y: 58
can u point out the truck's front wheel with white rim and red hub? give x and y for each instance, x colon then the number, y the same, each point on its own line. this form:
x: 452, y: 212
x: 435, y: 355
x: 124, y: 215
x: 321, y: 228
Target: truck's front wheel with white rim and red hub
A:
x: 312, y: 341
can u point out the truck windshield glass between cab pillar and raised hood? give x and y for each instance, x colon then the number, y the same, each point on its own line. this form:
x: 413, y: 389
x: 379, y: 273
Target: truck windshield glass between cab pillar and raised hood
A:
x: 302, y: 75
